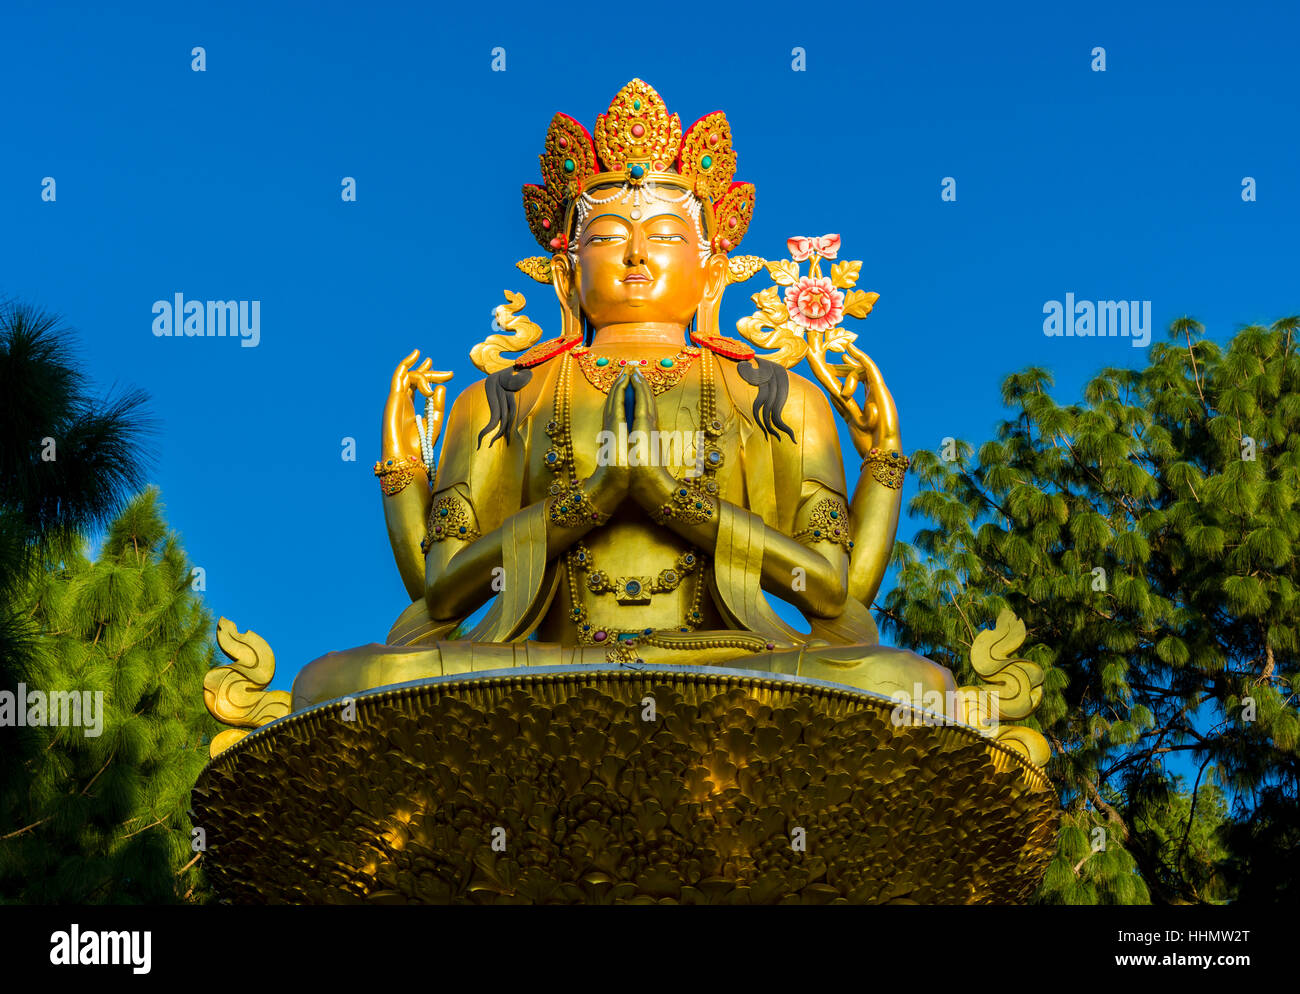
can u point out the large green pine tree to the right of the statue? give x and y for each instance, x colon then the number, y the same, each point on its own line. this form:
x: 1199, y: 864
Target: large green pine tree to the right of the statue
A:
x: 1147, y: 539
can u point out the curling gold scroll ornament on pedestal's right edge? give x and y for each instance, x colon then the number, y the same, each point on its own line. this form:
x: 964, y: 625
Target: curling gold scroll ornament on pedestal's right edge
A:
x: 1009, y: 689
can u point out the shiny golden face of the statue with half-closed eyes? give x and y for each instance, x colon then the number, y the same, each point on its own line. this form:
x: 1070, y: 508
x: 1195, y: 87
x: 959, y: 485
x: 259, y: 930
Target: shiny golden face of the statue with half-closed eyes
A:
x: 640, y: 264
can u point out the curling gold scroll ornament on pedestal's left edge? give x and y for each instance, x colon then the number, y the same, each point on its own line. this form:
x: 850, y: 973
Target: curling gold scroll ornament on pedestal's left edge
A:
x: 236, y: 695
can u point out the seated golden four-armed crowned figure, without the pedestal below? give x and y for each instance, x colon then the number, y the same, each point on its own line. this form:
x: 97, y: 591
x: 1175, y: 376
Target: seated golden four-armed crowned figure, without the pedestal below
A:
x: 626, y: 493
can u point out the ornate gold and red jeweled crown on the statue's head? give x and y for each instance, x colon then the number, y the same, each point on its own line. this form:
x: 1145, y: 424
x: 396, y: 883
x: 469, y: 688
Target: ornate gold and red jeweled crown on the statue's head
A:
x: 639, y: 142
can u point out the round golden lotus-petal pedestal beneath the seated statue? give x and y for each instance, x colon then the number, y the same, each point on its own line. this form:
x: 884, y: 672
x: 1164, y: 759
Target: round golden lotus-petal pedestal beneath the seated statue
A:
x: 579, y: 785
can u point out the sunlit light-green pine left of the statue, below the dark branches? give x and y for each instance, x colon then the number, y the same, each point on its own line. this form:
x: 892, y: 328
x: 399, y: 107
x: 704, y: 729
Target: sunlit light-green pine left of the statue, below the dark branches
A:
x: 105, y: 819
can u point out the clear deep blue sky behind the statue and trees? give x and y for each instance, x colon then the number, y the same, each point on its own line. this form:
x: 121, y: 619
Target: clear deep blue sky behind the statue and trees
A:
x: 226, y: 185
